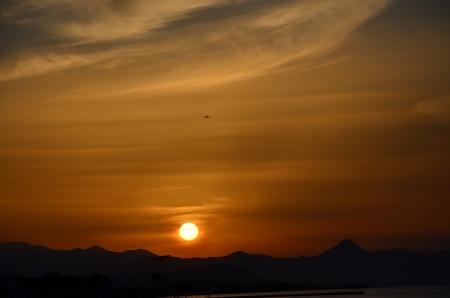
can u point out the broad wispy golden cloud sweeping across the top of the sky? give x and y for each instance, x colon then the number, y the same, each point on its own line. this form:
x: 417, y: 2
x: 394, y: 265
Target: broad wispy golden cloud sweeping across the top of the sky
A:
x: 180, y: 43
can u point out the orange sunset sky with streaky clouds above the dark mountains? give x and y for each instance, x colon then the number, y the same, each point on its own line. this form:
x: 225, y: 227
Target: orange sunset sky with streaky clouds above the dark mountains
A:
x: 328, y: 120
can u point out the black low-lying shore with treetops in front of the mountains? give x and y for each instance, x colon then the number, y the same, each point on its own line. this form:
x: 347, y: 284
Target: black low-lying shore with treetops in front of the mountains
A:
x: 56, y: 285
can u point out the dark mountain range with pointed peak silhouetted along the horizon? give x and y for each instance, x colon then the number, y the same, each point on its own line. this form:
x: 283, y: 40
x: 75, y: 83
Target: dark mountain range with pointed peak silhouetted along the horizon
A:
x: 345, y: 264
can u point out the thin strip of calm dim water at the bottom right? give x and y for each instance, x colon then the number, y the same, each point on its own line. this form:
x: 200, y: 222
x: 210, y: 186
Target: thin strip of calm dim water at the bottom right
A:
x: 381, y: 292
